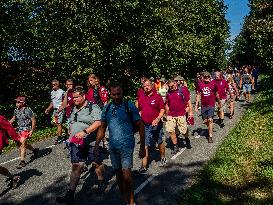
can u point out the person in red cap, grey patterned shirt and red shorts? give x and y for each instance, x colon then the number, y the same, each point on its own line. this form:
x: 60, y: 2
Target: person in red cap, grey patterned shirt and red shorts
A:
x: 26, y: 124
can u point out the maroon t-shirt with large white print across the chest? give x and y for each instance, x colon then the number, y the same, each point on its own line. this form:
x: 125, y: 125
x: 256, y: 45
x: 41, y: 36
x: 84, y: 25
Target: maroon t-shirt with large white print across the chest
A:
x: 208, y: 93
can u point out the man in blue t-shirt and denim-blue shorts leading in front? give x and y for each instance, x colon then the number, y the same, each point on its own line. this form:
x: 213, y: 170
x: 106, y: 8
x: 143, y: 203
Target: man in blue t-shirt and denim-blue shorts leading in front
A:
x: 122, y: 118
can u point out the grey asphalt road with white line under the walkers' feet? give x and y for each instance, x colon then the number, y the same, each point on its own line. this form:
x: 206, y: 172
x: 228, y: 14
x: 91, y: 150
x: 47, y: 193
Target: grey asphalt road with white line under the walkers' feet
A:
x: 46, y: 177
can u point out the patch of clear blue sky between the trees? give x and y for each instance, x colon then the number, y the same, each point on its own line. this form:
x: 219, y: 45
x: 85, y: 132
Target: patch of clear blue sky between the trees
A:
x: 237, y: 9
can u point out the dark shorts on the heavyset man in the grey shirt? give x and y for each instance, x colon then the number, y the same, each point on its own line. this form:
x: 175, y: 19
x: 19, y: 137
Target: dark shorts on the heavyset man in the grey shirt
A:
x: 84, y: 154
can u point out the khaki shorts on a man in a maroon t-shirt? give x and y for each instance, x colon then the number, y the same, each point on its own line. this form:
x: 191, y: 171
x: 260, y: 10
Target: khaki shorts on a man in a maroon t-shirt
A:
x: 179, y: 122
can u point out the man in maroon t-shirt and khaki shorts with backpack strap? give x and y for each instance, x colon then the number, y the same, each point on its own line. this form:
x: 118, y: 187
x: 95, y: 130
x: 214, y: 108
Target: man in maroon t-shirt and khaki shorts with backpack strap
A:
x: 177, y: 101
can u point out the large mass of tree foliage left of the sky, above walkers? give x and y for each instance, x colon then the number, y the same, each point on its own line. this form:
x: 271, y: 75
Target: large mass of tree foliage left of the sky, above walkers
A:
x: 46, y: 39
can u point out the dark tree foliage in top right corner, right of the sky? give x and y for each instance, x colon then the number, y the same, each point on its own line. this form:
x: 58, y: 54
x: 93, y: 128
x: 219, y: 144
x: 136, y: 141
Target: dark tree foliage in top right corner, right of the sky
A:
x: 254, y: 44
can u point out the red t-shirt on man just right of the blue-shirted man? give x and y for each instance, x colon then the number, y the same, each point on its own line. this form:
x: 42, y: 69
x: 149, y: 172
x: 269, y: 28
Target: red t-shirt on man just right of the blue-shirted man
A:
x: 150, y: 106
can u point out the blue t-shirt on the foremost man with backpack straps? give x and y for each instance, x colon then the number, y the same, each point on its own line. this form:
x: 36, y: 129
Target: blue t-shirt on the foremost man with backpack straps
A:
x: 120, y: 125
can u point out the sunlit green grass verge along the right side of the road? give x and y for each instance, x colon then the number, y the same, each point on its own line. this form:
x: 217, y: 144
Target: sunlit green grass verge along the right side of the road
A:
x: 241, y: 172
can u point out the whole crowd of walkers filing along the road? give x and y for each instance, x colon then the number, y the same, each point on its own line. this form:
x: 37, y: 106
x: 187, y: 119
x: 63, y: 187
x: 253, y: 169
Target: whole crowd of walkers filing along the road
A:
x: 92, y: 119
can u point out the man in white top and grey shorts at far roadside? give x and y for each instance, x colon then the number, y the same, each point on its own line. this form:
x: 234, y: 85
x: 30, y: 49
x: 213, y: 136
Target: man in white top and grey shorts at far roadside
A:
x: 57, y: 95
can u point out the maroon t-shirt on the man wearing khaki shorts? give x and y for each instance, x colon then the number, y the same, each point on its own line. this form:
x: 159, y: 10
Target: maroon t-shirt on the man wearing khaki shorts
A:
x: 177, y: 103
